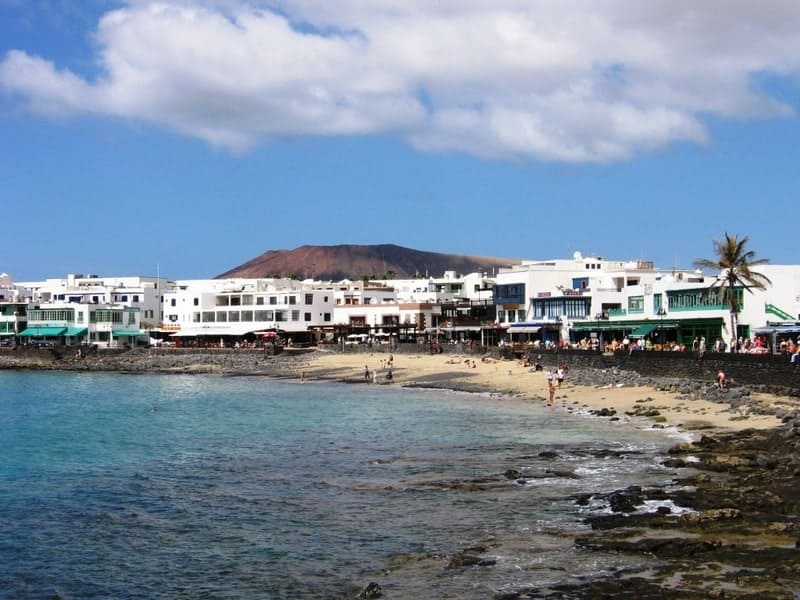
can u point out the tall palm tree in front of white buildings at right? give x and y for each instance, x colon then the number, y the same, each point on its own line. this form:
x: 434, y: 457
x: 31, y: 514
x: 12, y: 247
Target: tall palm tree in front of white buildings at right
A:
x: 734, y: 264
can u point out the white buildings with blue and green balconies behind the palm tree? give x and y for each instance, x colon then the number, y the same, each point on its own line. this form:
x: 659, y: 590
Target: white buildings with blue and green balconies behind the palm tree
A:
x: 593, y: 297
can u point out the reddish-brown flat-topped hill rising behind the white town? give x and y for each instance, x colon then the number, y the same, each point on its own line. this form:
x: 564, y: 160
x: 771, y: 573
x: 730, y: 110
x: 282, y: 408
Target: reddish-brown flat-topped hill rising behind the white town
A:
x: 347, y: 261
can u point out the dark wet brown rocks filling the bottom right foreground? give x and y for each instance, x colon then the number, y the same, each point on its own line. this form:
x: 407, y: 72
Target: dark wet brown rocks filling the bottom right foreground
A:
x: 737, y: 514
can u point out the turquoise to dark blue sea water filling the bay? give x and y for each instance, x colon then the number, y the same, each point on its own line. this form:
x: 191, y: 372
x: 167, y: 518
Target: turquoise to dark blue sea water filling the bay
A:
x: 120, y: 486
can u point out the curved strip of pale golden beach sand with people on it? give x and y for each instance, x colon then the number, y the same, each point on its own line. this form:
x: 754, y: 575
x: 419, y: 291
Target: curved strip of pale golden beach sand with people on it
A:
x: 510, y: 378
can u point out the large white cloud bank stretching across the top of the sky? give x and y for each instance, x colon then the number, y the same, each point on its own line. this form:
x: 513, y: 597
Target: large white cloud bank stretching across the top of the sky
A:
x: 562, y: 80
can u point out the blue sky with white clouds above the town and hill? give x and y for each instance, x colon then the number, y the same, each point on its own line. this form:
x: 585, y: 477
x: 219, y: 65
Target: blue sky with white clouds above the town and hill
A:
x: 186, y: 137
